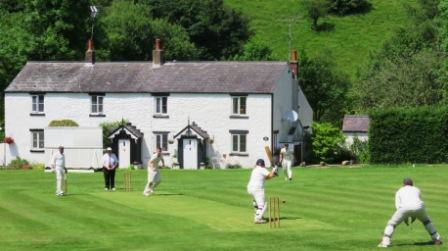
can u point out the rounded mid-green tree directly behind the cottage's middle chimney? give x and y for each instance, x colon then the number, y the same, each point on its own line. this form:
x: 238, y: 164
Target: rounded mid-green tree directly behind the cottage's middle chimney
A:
x: 130, y: 34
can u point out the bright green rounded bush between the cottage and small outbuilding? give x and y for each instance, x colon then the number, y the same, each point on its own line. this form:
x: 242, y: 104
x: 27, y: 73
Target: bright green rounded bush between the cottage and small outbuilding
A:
x: 327, y: 142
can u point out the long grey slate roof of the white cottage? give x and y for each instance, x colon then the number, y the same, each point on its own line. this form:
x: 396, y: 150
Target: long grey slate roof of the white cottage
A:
x: 200, y: 77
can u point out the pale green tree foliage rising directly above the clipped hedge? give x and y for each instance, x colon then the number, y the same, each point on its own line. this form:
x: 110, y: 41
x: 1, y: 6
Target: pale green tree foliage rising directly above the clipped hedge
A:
x: 406, y: 71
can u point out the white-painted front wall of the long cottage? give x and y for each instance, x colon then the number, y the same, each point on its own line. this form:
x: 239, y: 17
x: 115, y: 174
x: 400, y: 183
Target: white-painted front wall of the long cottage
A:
x: 209, y: 111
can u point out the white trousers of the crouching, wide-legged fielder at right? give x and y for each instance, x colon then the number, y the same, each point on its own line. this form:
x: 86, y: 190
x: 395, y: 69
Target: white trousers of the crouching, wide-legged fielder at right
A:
x: 403, y: 214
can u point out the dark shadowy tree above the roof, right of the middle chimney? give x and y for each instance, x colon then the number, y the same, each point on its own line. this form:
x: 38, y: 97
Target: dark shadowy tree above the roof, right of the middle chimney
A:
x: 217, y: 31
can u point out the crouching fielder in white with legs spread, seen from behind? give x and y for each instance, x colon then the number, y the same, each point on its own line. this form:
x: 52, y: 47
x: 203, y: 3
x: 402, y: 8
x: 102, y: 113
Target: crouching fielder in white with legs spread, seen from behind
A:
x: 409, y: 205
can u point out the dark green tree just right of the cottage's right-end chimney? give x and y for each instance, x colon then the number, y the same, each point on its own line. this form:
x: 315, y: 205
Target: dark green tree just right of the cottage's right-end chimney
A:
x: 325, y: 89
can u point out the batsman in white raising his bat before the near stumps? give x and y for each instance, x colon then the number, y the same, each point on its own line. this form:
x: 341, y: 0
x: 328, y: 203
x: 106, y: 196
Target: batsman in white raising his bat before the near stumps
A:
x: 256, y: 189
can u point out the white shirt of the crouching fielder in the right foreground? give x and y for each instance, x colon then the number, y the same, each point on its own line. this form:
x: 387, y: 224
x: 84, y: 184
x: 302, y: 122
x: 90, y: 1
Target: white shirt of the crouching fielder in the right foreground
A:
x: 408, y: 197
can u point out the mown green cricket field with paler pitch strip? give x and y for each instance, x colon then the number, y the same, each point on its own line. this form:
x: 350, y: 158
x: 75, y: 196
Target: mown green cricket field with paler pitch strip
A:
x: 326, y: 209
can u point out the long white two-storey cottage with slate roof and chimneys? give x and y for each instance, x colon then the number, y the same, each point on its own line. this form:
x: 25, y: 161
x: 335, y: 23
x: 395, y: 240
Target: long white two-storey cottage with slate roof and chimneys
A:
x: 214, y: 113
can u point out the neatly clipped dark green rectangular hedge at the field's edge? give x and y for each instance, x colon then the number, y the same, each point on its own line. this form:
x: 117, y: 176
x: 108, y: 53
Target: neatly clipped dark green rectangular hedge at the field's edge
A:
x: 414, y: 135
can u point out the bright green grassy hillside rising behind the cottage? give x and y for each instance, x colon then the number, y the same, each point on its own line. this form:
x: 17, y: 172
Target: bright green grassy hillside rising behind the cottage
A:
x: 350, y: 42
